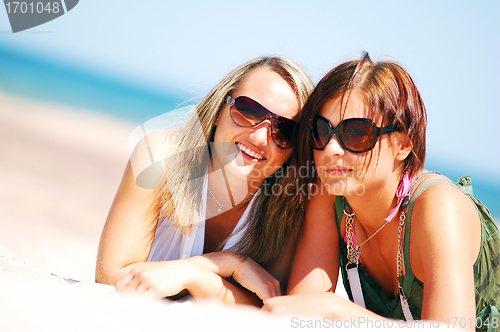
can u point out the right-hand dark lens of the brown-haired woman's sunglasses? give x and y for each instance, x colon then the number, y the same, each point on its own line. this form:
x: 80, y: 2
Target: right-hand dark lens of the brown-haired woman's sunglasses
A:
x: 357, y: 135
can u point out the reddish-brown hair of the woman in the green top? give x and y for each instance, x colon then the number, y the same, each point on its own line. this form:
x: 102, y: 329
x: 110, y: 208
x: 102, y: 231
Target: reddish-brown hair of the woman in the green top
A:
x: 386, y: 89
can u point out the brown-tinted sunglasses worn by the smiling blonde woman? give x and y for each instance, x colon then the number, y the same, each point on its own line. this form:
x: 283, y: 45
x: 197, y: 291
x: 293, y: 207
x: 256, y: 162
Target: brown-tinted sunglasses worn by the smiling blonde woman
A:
x: 246, y: 112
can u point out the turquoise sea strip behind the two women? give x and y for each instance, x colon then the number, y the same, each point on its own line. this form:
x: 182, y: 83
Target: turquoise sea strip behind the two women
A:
x: 49, y: 79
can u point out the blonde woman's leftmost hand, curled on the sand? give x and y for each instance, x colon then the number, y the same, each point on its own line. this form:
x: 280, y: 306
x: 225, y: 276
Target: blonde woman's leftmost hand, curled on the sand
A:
x: 155, y: 280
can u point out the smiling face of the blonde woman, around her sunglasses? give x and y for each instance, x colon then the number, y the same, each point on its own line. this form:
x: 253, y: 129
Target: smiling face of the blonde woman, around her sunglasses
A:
x: 250, y: 153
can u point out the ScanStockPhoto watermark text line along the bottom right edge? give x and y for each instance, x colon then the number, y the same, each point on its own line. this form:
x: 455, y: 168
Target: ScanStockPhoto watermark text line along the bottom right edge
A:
x: 368, y: 323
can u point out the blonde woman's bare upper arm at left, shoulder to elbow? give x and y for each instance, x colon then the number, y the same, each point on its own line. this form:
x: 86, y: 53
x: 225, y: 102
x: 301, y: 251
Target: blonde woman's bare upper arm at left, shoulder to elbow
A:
x: 128, y: 233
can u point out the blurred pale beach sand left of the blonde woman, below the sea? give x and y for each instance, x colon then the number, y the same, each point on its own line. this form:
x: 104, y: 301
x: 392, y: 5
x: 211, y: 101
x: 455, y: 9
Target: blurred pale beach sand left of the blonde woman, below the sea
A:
x: 59, y: 171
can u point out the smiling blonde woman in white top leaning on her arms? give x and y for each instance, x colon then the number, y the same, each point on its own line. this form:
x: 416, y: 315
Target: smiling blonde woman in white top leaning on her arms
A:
x: 210, y: 218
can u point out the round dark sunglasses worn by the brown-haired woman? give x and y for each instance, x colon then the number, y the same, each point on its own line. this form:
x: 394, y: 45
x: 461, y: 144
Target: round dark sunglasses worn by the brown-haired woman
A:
x: 355, y: 135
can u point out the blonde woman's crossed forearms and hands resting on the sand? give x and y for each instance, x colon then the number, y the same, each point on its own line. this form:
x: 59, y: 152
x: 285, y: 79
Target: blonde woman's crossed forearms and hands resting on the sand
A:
x: 203, y: 277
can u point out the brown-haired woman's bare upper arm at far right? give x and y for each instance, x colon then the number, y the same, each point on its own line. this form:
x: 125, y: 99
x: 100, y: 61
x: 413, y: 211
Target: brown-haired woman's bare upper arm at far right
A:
x: 446, y: 238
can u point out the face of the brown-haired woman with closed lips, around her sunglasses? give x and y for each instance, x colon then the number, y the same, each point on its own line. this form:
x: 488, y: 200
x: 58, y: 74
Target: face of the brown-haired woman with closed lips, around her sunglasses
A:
x: 346, y: 173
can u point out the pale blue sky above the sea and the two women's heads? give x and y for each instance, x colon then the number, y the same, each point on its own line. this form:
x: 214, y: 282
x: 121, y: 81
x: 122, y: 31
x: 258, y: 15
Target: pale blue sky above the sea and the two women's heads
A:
x: 451, y: 49
